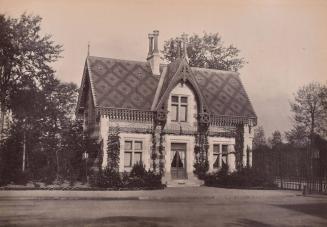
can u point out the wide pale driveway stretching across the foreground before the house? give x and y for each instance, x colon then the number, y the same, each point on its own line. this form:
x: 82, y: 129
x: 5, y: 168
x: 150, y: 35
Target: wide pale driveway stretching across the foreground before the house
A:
x: 198, y: 206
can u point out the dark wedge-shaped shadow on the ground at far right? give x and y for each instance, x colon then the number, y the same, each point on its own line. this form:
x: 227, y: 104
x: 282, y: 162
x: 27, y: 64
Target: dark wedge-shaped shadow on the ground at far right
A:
x: 314, y: 209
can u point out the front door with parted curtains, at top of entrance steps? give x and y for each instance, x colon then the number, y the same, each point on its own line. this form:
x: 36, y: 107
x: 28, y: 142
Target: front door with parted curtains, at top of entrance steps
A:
x: 178, y: 161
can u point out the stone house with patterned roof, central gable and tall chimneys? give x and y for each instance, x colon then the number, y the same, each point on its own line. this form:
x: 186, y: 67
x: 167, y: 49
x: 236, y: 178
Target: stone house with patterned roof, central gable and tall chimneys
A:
x: 172, y: 117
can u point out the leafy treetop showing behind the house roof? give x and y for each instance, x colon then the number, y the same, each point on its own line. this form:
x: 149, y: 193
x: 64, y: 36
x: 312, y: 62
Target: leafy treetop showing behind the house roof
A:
x: 206, y: 51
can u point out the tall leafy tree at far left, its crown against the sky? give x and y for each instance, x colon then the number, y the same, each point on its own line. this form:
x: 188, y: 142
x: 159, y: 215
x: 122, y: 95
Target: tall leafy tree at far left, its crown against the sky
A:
x: 24, y: 54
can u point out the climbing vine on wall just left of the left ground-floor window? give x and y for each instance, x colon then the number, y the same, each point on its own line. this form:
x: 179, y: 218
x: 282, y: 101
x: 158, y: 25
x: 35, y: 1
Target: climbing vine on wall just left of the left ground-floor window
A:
x: 113, y: 148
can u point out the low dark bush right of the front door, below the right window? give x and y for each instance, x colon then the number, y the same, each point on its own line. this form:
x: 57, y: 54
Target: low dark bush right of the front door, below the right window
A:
x: 246, y: 177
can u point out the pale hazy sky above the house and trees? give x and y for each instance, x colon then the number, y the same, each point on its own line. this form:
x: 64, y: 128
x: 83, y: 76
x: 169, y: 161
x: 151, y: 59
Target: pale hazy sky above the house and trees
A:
x: 284, y: 42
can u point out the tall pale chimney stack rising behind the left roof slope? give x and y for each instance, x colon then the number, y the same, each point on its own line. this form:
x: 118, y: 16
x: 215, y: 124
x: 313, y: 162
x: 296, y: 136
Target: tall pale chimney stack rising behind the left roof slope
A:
x: 153, y: 55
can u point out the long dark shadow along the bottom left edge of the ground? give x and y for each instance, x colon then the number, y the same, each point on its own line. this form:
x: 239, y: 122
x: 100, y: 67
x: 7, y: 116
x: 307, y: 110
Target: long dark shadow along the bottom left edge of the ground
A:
x: 116, y: 221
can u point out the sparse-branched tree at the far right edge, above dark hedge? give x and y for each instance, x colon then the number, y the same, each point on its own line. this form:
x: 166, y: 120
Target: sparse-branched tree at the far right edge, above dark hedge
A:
x: 309, y: 114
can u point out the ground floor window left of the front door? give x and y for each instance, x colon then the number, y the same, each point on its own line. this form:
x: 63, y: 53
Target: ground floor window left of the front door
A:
x: 132, y: 152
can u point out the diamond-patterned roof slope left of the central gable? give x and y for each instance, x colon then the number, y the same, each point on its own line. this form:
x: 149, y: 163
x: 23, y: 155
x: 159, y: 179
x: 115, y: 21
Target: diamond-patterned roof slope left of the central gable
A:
x: 122, y: 84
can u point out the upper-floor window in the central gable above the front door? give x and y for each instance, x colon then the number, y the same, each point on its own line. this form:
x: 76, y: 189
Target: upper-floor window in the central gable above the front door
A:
x: 179, y: 108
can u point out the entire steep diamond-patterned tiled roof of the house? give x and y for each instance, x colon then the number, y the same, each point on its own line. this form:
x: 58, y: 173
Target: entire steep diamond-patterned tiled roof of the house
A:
x: 131, y: 85
